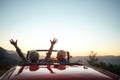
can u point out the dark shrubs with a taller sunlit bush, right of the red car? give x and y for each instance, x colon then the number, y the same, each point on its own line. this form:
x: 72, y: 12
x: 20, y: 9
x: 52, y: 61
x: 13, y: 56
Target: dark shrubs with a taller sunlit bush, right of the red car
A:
x: 110, y: 67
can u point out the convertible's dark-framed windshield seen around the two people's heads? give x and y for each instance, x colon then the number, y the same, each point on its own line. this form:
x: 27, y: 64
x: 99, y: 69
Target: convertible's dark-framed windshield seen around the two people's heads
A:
x: 51, y: 60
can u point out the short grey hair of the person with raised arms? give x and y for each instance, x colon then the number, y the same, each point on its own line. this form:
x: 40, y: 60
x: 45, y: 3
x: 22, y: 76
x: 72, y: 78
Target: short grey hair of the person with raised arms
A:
x: 33, y: 56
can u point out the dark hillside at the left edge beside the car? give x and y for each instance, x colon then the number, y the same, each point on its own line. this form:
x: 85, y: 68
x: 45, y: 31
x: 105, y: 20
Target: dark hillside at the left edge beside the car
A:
x: 6, y: 61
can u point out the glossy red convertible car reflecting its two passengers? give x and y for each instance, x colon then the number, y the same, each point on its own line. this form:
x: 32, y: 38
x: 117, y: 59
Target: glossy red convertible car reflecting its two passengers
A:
x: 56, y: 71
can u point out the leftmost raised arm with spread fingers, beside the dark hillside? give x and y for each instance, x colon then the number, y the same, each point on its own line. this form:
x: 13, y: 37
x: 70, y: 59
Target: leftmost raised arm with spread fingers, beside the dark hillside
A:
x: 14, y: 43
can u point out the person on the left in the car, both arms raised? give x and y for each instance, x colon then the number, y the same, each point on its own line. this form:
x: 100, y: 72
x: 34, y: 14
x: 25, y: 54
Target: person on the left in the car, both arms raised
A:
x: 33, y: 56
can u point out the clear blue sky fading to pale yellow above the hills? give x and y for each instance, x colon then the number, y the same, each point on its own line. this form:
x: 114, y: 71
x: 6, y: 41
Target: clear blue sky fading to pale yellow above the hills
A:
x: 80, y: 26
